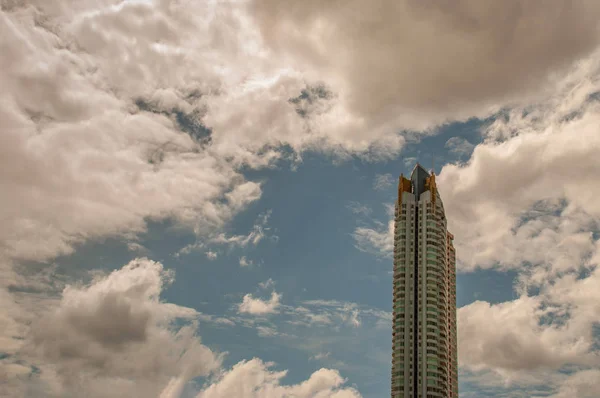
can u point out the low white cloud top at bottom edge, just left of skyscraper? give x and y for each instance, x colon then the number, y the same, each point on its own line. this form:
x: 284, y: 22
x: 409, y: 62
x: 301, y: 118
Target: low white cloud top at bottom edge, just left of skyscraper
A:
x: 254, y: 379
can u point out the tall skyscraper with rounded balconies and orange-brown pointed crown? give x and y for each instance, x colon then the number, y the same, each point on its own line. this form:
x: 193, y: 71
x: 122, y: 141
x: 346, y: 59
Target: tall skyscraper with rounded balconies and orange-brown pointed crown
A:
x: 424, y: 359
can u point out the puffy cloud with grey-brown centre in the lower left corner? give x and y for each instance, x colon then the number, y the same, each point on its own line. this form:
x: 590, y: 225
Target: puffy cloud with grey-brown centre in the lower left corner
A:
x: 115, y: 337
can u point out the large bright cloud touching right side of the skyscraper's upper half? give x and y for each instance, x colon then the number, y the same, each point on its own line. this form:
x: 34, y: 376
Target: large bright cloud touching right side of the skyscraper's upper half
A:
x: 523, y: 184
